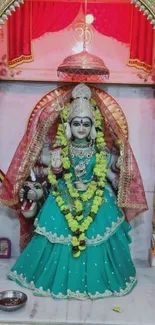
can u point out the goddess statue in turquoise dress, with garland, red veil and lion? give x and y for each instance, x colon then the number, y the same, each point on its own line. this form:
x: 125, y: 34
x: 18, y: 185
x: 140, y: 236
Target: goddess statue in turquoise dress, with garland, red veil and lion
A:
x: 80, y: 194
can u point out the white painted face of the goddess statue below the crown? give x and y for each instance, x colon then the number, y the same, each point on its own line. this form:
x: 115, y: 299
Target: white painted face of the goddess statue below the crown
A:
x: 81, y: 127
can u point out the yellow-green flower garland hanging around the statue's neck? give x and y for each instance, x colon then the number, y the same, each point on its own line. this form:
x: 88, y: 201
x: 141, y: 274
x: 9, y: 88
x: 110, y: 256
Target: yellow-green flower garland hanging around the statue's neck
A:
x: 75, y: 219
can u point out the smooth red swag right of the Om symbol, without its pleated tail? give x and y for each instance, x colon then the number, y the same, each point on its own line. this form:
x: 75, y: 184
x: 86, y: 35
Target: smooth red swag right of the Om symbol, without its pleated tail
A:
x: 112, y: 19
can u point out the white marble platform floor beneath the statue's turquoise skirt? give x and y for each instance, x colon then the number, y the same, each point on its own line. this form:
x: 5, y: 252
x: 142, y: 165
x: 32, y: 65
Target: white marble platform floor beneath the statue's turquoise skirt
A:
x: 138, y: 307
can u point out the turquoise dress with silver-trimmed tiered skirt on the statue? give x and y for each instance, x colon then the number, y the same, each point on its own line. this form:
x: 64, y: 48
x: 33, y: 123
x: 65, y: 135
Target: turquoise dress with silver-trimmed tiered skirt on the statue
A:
x: 103, y: 269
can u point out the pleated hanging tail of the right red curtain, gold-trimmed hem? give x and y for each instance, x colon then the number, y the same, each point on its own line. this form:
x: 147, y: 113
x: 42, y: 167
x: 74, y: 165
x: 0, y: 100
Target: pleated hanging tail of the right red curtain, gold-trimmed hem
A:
x: 141, y: 43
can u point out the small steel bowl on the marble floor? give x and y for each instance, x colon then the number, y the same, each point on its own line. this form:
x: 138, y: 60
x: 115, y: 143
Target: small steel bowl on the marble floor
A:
x: 11, y: 300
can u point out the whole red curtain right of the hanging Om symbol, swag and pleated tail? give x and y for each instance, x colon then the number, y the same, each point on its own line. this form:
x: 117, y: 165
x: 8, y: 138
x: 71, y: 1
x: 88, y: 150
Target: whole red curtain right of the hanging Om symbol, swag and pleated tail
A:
x: 126, y: 23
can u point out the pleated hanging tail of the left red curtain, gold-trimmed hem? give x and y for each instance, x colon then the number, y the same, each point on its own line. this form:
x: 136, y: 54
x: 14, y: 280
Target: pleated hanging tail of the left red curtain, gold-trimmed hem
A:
x: 19, y: 36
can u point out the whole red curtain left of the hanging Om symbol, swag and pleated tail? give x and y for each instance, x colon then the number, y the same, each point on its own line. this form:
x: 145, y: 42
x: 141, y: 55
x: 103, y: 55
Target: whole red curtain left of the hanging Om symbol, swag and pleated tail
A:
x: 32, y: 20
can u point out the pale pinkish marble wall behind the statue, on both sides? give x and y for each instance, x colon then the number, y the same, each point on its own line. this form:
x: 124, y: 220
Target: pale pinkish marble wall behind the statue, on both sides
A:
x: 16, y: 103
